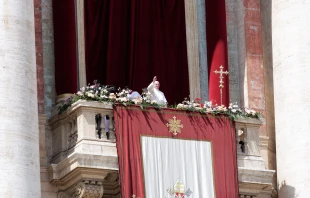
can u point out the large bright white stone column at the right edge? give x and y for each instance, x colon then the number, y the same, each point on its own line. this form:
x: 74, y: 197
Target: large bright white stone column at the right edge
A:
x: 291, y: 49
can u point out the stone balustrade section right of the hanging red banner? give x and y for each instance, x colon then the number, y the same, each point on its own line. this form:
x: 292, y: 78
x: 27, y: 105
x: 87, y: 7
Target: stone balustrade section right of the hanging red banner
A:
x: 254, y: 179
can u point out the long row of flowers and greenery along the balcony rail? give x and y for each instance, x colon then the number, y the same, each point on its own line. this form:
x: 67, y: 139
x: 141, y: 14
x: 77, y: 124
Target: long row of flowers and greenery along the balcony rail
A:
x: 125, y: 96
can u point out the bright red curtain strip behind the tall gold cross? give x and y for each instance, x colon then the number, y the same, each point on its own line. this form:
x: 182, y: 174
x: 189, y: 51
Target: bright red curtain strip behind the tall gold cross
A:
x: 217, y: 49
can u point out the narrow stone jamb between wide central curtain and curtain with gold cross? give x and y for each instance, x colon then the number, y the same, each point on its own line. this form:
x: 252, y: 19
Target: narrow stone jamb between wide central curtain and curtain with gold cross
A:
x: 195, y: 19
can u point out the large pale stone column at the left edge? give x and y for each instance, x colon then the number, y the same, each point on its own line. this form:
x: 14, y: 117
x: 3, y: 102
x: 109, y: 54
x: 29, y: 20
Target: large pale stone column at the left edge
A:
x: 19, y: 145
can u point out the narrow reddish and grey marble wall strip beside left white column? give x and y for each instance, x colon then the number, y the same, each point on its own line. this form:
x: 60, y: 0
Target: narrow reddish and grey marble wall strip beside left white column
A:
x: 46, y: 88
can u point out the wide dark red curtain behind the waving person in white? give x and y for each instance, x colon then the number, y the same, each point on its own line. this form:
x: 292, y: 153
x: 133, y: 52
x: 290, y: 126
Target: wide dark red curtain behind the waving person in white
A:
x: 129, y: 42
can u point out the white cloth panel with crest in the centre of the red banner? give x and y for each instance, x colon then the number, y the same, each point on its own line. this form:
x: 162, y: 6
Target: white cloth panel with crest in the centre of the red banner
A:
x: 168, y: 160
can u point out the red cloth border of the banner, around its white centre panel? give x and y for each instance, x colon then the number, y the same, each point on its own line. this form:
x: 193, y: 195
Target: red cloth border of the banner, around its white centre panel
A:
x: 132, y: 122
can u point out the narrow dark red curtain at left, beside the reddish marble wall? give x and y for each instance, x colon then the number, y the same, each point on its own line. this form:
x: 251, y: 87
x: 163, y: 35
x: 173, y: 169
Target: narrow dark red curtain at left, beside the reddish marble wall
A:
x: 65, y: 46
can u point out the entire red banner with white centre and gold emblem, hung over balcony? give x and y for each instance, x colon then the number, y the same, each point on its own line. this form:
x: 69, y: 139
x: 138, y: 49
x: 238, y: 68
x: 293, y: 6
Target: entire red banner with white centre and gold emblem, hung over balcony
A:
x: 176, y: 128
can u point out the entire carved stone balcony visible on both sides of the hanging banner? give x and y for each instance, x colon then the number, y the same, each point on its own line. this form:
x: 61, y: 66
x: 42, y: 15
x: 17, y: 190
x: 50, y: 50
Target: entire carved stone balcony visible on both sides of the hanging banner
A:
x: 86, y: 165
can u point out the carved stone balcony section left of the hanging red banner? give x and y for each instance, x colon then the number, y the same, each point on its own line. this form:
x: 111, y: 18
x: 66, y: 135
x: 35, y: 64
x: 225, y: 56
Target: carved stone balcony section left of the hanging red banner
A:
x: 82, y: 163
